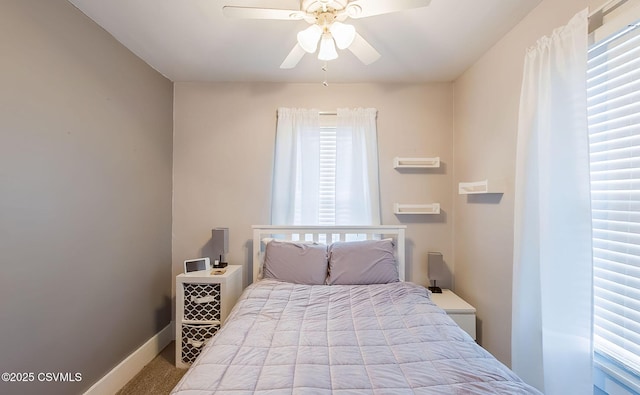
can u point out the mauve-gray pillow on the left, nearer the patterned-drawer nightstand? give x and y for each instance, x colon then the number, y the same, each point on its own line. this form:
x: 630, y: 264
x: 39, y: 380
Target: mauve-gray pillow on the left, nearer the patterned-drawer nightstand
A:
x: 296, y: 262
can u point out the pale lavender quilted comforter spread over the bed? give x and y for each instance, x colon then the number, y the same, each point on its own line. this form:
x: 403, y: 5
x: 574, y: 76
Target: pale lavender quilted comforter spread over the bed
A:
x: 284, y: 338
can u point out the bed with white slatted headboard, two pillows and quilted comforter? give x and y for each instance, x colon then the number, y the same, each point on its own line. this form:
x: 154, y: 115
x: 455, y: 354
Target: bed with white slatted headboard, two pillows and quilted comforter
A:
x: 352, y: 326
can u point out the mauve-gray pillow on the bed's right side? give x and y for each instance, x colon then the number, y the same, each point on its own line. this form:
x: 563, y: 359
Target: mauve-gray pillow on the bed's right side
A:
x: 362, y: 262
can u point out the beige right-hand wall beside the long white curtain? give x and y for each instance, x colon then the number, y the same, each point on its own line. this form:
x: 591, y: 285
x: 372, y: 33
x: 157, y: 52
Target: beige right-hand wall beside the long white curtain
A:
x: 486, y: 120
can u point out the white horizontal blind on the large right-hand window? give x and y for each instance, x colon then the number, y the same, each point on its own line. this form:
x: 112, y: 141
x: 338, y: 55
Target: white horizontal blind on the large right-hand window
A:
x: 613, y: 87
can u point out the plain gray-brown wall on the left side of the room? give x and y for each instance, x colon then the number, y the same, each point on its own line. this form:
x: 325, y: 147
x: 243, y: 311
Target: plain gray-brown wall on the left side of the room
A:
x: 85, y: 196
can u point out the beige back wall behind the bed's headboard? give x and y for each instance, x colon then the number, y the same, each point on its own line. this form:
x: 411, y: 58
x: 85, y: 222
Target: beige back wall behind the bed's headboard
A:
x: 223, y: 156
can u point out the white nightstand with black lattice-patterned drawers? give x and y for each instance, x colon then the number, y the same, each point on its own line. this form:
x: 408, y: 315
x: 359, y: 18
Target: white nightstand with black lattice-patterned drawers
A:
x: 203, y: 302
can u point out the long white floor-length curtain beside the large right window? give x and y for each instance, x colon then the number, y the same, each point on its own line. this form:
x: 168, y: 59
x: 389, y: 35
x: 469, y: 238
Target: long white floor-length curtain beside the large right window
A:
x: 552, y: 283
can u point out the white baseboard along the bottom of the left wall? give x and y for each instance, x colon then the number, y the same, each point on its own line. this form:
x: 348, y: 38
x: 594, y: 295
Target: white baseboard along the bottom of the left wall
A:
x: 113, y: 381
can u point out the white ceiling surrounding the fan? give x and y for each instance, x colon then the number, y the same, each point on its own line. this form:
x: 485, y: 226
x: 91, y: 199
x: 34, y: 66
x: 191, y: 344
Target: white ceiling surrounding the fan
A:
x: 190, y: 40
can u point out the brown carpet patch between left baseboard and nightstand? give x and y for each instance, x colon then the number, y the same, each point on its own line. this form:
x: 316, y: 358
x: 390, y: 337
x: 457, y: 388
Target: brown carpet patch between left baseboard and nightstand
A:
x: 158, y: 377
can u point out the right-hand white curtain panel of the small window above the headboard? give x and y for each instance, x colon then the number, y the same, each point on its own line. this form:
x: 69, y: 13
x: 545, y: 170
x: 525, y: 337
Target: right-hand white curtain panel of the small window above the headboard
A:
x: 357, y: 187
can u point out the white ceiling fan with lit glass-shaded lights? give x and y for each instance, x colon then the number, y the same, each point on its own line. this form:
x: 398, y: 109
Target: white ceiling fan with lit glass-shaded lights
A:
x: 326, y: 25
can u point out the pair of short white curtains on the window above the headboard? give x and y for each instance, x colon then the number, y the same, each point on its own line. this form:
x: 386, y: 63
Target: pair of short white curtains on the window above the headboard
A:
x: 296, y: 179
